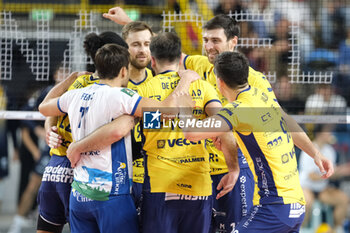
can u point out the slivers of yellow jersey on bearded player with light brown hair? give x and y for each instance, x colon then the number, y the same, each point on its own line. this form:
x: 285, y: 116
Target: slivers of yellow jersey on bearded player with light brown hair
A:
x: 138, y: 166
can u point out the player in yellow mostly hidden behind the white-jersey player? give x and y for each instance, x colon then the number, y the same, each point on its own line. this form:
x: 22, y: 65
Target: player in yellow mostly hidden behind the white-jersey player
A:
x: 54, y: 192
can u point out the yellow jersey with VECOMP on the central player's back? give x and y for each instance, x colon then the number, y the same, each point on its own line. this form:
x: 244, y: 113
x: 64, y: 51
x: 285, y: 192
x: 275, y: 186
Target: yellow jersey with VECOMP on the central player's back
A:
x: 175, y: 164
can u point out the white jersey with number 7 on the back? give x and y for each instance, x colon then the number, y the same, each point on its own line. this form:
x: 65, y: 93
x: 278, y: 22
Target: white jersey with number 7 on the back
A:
x: 100, y: 174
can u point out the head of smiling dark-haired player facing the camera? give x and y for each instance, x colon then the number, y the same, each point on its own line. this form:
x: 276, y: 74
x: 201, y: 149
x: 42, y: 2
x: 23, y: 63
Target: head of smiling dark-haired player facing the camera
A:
x: 220, y: 34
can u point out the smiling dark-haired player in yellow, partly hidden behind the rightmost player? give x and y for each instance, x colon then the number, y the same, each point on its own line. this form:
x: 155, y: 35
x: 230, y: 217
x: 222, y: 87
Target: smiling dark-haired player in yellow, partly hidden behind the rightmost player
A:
x: 220, y: 34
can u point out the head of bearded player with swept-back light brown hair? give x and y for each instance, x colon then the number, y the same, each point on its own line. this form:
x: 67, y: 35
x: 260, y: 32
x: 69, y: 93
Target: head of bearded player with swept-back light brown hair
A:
x: 137, y: 35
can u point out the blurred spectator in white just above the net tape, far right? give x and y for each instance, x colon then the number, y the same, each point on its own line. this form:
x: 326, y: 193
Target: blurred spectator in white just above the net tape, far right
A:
x: 325, y: 101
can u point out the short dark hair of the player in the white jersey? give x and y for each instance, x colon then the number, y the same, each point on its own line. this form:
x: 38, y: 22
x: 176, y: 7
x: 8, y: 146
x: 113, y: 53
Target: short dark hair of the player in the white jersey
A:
x: 110, y: 59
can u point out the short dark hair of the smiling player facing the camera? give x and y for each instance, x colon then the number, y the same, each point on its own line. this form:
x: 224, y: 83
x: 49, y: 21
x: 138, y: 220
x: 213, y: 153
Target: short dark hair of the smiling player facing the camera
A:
x: 231, y: 29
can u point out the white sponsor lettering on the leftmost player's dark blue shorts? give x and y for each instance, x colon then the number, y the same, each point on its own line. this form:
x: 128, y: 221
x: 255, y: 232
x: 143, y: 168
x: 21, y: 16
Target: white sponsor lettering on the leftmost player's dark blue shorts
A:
x: 58, y: 174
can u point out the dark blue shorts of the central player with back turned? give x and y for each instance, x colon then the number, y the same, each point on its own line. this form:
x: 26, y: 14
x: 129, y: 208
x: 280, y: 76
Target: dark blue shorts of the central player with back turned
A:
x: 174, y: 213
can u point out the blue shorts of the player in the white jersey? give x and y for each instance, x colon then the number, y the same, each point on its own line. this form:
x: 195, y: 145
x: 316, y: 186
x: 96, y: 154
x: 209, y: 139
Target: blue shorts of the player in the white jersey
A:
x: 118, y: 214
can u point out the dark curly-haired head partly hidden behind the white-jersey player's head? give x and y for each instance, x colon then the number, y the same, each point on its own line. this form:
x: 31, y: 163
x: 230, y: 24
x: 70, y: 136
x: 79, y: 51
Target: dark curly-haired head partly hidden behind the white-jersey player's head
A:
x: 93, y: 42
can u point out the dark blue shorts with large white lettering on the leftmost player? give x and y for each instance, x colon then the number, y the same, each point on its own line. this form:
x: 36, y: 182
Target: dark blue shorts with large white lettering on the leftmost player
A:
x: 53, y: 195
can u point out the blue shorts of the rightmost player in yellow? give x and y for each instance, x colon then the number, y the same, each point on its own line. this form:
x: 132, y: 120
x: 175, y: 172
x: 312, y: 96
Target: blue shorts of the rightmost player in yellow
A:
x: 272, y: 218
